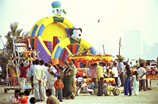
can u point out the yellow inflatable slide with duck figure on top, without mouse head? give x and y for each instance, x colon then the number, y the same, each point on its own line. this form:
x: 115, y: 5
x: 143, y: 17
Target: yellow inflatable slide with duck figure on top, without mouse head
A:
x: 51, y: 38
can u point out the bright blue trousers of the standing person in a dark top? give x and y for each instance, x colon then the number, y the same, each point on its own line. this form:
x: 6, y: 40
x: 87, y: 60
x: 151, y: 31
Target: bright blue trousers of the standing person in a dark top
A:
x: 127, y: 87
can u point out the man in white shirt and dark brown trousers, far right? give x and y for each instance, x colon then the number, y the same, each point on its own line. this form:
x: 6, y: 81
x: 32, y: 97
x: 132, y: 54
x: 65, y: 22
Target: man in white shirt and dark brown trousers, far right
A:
x: 142, y: 75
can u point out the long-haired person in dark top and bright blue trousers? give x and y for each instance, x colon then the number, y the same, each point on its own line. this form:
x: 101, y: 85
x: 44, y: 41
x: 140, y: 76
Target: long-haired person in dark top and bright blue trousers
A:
x: 127, y: 84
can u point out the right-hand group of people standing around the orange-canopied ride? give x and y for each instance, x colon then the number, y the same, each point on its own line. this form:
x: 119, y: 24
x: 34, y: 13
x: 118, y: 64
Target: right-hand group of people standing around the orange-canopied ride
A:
x: 125, y: 75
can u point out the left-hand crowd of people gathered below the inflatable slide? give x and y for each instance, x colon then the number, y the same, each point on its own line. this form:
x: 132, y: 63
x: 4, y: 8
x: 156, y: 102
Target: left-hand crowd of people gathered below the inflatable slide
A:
x: 45, y: 80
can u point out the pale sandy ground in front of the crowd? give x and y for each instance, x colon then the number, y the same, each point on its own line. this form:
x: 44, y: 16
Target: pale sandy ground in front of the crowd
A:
x: 145, y: 97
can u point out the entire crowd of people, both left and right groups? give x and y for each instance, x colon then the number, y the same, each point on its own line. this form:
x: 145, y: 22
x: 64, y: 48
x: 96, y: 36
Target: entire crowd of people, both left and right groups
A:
x: 54, y: 82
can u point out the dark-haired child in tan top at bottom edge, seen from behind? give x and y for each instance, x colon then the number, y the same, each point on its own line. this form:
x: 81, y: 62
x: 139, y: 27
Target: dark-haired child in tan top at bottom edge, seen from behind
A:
x: 51, y: 99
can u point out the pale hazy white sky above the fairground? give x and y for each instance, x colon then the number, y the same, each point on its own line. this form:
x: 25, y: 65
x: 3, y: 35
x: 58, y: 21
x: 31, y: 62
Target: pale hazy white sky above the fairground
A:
x: 116, y: 18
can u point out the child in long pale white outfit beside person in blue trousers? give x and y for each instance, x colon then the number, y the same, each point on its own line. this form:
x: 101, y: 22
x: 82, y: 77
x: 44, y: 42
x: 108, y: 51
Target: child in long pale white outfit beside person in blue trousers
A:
x: 136, y: 83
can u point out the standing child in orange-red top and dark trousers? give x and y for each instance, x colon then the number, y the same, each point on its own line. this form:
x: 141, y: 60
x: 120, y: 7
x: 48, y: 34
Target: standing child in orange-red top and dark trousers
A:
x: 59, y: 85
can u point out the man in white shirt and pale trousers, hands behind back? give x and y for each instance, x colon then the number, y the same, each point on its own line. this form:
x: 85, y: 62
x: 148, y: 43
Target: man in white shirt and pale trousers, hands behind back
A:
x: 38, y: 80
